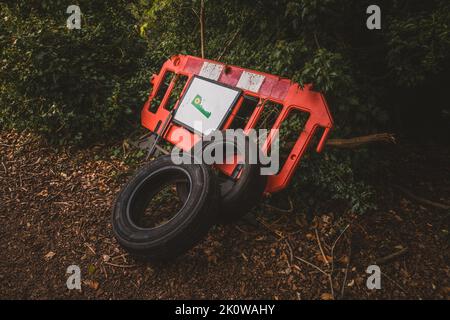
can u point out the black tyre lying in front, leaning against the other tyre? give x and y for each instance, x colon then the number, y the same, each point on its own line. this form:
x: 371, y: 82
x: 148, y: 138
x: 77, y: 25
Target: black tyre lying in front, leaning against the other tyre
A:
x: 189, y: 225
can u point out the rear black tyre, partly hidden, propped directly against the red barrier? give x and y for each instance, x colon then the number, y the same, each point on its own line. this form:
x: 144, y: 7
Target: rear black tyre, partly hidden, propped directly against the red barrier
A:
x: 237, y: 196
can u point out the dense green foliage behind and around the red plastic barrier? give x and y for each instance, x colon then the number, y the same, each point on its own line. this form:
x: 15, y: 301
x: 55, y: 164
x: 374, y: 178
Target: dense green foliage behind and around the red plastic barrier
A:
x: 89, y: 84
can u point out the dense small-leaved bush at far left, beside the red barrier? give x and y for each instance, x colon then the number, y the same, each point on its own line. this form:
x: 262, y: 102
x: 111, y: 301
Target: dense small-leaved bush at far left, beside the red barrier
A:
x: 72, y: 85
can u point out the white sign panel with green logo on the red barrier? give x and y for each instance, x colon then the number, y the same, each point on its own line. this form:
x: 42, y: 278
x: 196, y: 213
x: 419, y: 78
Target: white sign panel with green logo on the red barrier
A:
x: 205, y: 105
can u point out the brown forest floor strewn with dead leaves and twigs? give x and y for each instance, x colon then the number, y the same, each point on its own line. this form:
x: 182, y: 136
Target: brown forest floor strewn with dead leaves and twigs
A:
x: 55, y: 212
